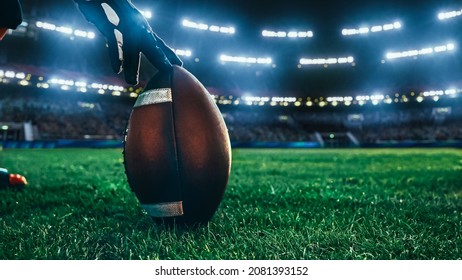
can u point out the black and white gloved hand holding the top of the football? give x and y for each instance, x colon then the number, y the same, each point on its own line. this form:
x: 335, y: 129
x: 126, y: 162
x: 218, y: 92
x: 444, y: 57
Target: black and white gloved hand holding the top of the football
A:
x: 128, y: 34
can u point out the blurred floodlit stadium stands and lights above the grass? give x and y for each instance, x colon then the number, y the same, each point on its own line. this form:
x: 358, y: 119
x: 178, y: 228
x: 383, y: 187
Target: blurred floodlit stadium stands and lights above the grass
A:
x: 293, y: 73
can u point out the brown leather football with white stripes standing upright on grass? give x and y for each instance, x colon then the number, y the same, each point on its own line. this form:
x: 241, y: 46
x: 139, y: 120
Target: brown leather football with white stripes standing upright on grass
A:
x: 177, y: 152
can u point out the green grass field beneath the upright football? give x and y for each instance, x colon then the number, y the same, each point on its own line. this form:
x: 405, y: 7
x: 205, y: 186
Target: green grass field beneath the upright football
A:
x: 280, y: 204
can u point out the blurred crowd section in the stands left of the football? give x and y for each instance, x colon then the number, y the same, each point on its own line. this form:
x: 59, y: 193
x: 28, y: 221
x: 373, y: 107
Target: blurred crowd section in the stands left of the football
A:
x: 63, y: 118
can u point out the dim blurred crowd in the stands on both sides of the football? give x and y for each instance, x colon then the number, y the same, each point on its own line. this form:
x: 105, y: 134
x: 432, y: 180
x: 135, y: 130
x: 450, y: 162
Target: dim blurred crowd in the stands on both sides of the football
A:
x: 57, y: 116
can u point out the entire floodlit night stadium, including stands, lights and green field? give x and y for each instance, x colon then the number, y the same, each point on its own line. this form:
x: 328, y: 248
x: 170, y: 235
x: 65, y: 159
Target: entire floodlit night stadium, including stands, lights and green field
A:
x: 345, y: 121
